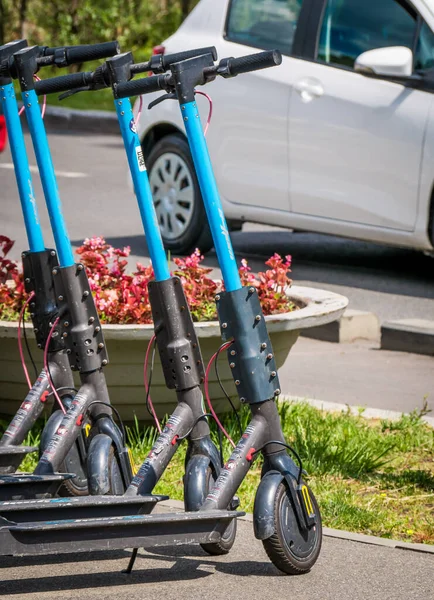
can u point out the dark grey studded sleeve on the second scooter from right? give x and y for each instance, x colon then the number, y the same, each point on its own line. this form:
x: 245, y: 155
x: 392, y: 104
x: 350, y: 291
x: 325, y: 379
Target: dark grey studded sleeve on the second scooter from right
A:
x: 177, y: 342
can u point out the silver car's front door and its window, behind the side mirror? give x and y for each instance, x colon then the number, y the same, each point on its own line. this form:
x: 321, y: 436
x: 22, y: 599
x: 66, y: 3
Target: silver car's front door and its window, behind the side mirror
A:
x: 355, y: 143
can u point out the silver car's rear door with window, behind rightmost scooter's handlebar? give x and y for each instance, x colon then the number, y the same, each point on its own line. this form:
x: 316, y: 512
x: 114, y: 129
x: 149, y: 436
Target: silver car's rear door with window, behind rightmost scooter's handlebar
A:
x: 249, y: 147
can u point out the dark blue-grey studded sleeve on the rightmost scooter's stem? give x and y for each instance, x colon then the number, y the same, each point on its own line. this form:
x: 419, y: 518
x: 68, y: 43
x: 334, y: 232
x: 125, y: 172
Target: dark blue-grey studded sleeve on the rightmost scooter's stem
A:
x: 251, y: 356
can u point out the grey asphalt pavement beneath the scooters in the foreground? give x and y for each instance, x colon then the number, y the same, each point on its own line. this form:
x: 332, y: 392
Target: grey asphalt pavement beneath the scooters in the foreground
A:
x: 345, y: 570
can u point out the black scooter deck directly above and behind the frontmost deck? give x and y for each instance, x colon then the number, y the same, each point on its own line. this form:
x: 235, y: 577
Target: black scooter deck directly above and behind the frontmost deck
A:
x: 23, y: 511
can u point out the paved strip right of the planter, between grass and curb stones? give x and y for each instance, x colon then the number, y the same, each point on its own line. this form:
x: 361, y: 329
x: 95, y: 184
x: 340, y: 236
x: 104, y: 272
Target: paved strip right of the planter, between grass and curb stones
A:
x: 359, y: 375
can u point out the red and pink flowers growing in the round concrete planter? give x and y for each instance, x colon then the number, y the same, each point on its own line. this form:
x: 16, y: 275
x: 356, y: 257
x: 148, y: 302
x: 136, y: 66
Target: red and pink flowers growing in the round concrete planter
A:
x: 124, y: 298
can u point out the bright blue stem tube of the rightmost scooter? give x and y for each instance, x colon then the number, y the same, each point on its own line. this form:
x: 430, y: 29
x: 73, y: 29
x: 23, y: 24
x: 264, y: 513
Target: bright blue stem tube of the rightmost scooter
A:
x: 210, y: 196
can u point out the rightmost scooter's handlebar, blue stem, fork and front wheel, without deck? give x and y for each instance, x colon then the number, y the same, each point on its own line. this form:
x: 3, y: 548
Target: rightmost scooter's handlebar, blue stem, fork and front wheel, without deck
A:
x: 286, y: 515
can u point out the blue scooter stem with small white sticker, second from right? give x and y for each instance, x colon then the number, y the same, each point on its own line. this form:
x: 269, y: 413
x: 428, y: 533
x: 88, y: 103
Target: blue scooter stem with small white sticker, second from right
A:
x: 142, y: 188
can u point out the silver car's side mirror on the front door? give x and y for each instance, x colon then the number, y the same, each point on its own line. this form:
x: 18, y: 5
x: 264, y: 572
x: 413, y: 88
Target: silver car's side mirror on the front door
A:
x: 394, y: 61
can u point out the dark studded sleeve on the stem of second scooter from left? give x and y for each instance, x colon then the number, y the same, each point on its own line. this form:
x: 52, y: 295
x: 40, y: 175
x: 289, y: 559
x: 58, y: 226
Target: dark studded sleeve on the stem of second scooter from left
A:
x: 79, y: 325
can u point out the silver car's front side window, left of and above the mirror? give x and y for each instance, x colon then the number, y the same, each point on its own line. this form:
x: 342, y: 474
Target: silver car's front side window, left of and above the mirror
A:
x: 351, y: 27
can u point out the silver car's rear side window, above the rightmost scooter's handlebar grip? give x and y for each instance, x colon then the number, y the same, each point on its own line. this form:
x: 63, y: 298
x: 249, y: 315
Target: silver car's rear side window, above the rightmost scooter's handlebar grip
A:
x: 266, y: 24
